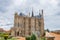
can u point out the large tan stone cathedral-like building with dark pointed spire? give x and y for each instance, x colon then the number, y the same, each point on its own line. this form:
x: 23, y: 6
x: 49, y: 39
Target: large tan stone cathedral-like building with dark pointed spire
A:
x: 27, y: 25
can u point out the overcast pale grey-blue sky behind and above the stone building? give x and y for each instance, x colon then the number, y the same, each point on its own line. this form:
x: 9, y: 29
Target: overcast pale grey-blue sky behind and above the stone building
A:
x: 51, y: 12
